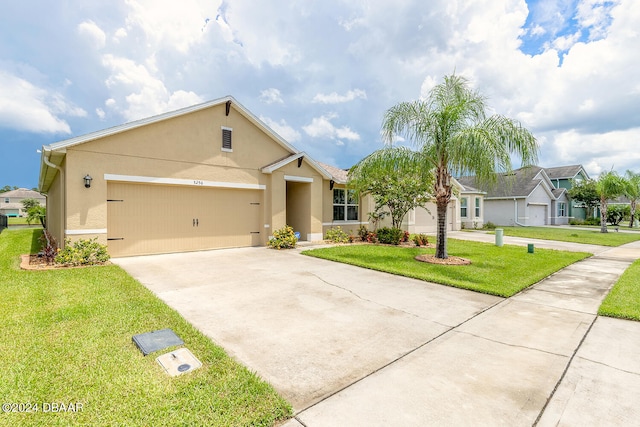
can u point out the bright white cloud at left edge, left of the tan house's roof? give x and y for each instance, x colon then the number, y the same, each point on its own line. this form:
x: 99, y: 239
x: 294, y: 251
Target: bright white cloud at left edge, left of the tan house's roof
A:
x: 30, y: 108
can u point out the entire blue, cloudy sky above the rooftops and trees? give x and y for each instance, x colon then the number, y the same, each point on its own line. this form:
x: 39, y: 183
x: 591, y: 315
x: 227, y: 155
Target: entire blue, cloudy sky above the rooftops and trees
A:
x: 321, y: 73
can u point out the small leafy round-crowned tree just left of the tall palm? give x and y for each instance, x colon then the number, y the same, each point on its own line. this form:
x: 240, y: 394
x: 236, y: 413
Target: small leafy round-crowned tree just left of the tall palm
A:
x: 392, y: 183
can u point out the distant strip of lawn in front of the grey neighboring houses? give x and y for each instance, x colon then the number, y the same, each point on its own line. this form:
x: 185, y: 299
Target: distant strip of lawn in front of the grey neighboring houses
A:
x: 592, y: 237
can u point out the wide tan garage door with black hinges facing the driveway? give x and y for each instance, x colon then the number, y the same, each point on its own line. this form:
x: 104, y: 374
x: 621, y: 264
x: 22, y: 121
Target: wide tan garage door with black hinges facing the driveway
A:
x: 151, y: 219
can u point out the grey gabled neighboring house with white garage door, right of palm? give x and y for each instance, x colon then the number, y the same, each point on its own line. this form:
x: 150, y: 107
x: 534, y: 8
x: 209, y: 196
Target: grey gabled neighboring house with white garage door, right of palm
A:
x: 524, y: 197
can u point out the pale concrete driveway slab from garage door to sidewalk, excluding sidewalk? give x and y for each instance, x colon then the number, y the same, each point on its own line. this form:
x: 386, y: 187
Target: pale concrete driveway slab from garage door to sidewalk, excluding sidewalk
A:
x: 309, y: 327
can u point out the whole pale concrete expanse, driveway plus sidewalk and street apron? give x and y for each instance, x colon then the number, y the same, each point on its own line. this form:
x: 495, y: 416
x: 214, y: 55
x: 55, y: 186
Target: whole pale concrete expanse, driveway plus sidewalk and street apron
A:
x: 349, y: 346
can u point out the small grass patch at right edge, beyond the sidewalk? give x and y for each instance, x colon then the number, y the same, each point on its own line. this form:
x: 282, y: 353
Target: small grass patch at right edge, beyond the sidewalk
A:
x: 623, y: 300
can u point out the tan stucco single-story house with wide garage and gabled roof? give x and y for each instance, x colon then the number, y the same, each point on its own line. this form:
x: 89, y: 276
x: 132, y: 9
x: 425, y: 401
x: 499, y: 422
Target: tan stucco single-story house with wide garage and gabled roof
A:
x: 207, y: 176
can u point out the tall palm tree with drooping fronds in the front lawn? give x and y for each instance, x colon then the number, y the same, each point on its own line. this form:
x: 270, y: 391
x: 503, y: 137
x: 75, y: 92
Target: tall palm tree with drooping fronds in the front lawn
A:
x: 453, y: 135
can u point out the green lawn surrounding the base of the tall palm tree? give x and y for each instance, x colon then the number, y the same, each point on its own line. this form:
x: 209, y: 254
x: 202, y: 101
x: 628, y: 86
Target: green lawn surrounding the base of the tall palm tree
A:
x: 497, y: 271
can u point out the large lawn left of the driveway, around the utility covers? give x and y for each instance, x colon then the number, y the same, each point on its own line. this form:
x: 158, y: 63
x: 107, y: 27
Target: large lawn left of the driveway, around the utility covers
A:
x: 66, y: 338
